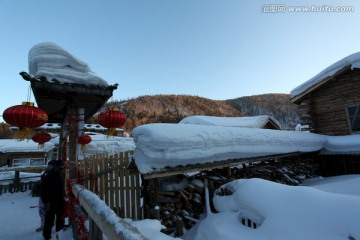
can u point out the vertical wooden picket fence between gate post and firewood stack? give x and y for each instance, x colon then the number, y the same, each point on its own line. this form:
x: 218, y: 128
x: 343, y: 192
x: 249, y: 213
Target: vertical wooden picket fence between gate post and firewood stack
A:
x: 110, y: 178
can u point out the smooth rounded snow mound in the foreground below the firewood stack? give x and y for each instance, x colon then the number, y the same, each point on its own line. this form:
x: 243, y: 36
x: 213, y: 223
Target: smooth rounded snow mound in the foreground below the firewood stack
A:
x: 280, y: 212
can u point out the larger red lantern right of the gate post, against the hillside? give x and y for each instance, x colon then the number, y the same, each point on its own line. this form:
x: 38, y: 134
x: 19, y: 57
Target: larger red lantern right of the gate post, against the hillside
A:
x: 112, y: 119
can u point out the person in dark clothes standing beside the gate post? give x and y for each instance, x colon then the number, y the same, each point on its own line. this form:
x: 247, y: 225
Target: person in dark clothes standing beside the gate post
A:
x: 53, y: 197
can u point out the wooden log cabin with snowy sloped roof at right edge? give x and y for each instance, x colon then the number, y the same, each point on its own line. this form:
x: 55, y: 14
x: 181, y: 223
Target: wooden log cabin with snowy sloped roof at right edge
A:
x: 330, y: 101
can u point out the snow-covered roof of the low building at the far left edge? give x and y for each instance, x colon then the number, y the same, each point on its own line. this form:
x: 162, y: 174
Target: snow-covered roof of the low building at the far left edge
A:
x: 12, y: 145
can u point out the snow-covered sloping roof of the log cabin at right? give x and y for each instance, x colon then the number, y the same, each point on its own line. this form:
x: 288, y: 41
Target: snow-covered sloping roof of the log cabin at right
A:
x: 352, y: 61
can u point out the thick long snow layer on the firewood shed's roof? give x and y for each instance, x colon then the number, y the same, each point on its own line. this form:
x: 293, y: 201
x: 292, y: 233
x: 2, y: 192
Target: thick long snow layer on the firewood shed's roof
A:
x: 169, y: 145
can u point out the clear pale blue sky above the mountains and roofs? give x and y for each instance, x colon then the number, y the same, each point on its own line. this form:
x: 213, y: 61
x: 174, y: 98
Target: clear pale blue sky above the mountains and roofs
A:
x: 217, y: 49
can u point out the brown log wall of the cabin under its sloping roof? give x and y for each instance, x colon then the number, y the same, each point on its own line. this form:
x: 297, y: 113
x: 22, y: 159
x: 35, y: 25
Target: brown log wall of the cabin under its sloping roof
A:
x: 325, y: 109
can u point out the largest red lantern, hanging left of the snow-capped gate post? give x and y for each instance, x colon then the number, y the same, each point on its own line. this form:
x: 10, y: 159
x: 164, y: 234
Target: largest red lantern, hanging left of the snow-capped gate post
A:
x: 26, y: 117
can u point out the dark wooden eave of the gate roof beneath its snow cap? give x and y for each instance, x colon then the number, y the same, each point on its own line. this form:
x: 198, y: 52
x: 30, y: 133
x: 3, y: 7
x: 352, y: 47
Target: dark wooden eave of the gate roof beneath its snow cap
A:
x: 55, y: 97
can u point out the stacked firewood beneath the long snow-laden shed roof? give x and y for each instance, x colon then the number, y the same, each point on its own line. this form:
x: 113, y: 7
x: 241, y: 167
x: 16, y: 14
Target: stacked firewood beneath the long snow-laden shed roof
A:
x: 179, y: 201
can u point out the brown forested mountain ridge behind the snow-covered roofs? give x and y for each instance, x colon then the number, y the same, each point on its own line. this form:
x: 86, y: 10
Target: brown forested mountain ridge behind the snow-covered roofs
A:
x: 173, y: 108
